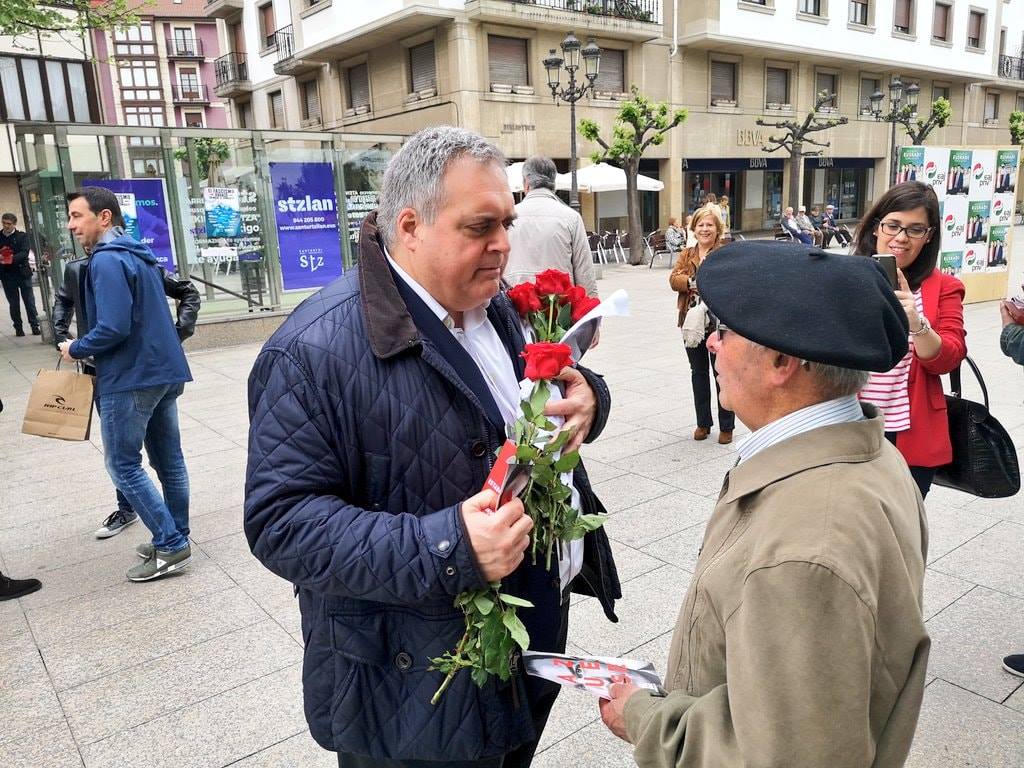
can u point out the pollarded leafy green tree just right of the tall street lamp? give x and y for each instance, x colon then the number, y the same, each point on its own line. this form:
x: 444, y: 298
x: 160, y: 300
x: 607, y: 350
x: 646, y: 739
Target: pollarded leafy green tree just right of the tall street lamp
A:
x: 639, y: 124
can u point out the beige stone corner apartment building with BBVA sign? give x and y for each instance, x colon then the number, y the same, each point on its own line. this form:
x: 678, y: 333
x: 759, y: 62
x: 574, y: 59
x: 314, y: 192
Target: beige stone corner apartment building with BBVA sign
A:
x: 397, y: 66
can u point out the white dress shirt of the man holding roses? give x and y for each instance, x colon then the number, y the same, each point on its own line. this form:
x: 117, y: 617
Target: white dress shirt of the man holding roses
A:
x: 482, y: 342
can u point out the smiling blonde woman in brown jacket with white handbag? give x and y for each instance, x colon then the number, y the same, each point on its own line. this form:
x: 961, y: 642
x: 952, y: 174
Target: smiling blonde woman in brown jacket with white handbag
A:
x: 708, y: 229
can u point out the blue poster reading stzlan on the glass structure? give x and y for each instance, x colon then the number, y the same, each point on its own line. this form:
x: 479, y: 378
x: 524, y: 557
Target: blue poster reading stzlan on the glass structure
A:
x: 307, y: 214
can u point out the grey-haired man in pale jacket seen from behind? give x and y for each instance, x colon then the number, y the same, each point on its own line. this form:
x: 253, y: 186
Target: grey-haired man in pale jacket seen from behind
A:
x: 548, y: 235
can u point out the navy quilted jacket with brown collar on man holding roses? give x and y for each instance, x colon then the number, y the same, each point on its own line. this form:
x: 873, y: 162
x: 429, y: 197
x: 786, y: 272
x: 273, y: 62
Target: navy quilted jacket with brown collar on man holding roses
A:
x: 364, y: 442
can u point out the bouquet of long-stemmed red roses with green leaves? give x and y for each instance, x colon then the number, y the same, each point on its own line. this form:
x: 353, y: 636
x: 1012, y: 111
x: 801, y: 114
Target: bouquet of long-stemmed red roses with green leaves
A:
x: 549, y: 308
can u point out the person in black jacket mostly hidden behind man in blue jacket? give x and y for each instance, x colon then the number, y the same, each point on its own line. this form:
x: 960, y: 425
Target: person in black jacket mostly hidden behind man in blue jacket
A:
x: 68, y: 303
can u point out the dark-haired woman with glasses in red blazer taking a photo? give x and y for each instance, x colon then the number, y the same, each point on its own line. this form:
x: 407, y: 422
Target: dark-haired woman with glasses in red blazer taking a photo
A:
x: 905, y: 224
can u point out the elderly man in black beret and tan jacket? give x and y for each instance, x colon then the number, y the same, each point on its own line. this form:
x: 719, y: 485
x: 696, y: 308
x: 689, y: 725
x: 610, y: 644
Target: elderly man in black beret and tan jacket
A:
x: 801, y: 642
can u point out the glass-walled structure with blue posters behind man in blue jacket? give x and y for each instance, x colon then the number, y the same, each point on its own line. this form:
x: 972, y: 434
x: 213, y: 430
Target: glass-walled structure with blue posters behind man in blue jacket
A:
x: 259, y: 221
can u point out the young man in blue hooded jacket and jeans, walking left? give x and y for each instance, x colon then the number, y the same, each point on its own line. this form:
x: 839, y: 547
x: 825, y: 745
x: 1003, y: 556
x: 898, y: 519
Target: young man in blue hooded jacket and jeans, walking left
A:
x: 141, y: 372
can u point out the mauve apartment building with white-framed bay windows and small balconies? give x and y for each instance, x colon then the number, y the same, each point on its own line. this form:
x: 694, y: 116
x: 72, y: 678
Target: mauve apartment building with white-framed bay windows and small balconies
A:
x: 161, y: 73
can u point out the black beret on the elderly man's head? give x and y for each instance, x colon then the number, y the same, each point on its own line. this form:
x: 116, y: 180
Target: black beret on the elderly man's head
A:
x: 802, y: 302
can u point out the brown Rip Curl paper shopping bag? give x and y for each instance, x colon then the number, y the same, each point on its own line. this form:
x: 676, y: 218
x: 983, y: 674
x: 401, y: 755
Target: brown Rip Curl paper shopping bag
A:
x: 60, y: 406
